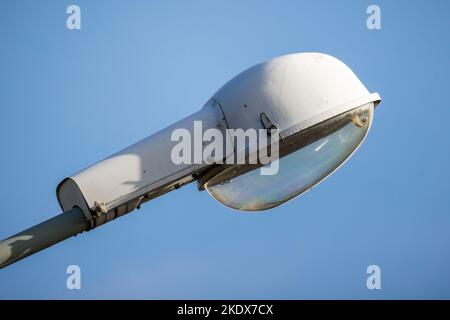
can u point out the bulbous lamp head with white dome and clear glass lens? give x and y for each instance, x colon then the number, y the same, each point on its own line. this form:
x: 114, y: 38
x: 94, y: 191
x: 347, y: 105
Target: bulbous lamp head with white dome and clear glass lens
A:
x: 319, y: 108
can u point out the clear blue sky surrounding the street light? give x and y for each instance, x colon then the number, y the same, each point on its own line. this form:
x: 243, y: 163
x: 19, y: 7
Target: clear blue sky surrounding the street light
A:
x: 71, y: 98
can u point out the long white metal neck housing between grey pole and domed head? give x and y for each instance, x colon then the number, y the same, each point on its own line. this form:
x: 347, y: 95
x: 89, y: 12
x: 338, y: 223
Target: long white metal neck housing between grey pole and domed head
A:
x: 118, y: 184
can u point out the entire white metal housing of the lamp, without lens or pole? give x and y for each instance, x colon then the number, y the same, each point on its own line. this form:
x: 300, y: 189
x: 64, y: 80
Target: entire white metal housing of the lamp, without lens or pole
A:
x: 295, y: 91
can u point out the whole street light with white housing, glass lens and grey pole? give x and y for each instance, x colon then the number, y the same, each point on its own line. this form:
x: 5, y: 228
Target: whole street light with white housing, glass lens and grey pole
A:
x: 314, y: 104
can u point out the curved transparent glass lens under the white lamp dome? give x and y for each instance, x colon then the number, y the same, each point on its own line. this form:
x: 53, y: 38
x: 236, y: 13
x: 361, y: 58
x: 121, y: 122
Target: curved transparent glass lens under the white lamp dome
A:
x: 334, y: 141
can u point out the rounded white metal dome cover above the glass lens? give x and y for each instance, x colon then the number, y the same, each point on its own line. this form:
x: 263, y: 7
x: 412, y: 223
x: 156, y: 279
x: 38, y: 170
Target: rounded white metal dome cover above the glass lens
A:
x: 295, y: 91
